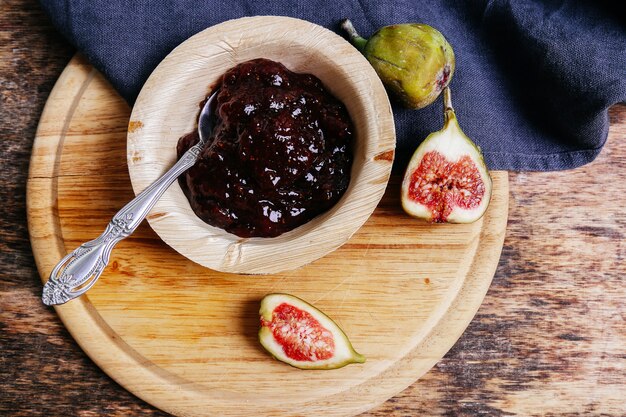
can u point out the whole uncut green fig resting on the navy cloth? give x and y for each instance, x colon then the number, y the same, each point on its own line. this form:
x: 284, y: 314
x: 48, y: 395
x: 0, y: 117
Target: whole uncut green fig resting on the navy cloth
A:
x: 413, y: 60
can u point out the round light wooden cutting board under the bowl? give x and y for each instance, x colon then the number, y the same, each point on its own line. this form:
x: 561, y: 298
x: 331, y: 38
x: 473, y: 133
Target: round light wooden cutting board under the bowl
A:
x: 184, y: 338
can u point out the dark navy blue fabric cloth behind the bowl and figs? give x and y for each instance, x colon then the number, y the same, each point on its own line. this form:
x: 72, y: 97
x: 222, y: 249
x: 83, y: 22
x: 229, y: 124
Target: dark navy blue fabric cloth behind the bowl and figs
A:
x: 533, y: 81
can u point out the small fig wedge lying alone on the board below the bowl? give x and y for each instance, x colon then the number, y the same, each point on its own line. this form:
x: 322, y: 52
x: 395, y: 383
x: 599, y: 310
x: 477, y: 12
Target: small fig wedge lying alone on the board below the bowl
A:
x: 297, y: 333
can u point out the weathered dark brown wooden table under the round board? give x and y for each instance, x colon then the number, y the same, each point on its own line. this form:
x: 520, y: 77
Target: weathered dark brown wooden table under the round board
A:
x: 549, y: 339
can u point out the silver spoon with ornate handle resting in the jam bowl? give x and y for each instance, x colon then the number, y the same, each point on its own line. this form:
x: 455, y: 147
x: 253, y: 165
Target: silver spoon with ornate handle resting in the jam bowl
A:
x: 79, y: 270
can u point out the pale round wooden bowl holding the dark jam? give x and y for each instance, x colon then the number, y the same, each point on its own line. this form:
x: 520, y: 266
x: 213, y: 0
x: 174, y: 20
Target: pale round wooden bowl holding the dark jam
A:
x: 167, y: 108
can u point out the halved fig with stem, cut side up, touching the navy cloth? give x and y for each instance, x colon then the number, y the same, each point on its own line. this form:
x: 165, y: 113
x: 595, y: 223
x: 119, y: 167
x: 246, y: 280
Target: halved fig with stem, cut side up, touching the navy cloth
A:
x: 447, y: 179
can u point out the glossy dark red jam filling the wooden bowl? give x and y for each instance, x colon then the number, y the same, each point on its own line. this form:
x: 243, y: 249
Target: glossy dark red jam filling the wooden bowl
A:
x: 280, y: 152
